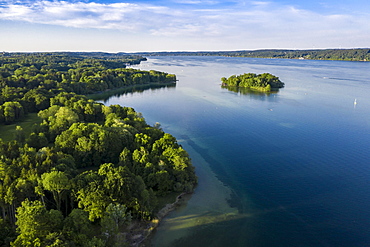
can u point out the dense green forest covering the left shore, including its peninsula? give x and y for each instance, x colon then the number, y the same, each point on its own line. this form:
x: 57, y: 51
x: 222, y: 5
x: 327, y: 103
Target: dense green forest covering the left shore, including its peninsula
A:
x: 87, y: 169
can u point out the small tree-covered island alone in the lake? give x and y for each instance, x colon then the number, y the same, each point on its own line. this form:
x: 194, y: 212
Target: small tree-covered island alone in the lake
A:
x: 265, y: 82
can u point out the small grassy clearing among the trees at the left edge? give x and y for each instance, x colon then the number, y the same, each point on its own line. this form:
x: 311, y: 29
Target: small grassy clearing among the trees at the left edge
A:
x: 7, y: 132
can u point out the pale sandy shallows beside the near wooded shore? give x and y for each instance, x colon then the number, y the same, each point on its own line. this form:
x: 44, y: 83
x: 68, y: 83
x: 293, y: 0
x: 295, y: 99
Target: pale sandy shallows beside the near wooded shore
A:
x: 207, y: 205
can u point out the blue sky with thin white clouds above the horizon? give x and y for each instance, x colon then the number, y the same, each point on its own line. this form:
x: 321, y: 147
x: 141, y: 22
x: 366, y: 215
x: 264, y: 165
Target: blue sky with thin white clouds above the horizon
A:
x: 182, y: 25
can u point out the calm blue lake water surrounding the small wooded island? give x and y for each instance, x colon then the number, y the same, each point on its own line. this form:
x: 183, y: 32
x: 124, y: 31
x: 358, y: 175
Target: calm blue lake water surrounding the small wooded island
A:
x: 284, y: 169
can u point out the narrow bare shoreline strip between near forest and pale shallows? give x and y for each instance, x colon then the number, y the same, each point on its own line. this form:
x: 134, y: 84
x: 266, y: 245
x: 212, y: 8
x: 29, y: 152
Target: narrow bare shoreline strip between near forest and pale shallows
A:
x: 138, y: 232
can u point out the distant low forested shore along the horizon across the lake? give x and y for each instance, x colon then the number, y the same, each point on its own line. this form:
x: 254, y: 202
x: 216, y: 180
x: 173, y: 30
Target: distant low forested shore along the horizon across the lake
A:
x: 319, y: 54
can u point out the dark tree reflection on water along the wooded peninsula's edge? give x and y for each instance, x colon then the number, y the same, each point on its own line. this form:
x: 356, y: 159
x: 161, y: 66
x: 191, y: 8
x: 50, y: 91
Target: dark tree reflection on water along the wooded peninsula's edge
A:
x: 105, y: 96
